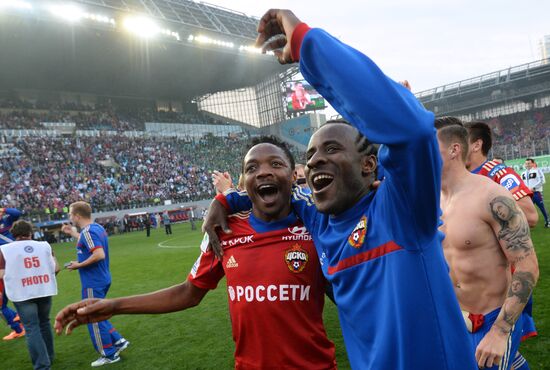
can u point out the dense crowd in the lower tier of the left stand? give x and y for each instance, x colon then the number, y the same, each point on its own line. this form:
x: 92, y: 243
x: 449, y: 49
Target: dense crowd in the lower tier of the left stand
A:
x: 47, y: 174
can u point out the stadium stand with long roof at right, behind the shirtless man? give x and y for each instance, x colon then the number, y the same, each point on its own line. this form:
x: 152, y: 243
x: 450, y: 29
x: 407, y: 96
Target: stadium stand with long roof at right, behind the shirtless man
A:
x: 514, y: 101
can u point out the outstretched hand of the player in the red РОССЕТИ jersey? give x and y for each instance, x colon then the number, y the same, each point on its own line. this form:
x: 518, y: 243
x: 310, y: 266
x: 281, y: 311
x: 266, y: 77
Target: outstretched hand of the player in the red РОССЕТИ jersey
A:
x: 83, y: 312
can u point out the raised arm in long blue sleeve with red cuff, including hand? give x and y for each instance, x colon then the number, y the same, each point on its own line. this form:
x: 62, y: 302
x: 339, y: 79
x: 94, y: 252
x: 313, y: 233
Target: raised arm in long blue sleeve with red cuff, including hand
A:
x: 383, y: 110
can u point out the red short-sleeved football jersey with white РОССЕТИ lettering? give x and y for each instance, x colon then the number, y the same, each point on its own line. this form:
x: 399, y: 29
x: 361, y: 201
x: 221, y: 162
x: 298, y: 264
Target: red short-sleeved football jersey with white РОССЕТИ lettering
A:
x: 276, y: 294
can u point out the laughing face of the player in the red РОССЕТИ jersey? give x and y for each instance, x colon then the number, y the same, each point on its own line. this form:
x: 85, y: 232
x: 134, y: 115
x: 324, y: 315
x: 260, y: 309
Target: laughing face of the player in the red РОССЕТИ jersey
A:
x: 268, y: 179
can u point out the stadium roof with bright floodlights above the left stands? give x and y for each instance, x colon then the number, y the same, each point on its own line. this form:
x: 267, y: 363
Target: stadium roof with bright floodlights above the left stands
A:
x: 195, y: 51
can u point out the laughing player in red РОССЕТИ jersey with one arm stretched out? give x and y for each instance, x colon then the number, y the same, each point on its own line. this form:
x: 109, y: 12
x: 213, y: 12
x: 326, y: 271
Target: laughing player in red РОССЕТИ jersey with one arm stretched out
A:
x: 272, y: 270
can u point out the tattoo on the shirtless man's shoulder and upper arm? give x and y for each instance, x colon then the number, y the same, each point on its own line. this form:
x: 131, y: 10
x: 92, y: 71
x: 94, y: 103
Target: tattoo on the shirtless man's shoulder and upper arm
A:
x: 514, y: 230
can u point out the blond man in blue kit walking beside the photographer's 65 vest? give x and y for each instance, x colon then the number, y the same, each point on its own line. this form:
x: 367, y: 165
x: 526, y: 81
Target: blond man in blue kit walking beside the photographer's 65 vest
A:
x: 93, y: 265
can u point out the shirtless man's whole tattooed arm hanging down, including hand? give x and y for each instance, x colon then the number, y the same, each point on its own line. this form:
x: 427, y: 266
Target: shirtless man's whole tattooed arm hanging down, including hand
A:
x: 512, y: 230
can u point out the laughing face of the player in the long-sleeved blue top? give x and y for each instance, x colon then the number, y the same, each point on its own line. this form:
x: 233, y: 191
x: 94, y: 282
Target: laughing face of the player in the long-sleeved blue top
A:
x: 335, y: 169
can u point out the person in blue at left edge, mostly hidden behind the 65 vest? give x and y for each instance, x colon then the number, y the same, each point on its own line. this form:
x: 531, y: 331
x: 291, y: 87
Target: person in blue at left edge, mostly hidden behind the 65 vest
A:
x: 7, y: 218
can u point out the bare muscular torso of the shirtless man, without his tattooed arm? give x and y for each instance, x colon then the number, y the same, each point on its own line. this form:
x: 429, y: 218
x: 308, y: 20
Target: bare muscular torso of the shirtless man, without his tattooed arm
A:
x: 479, y: 269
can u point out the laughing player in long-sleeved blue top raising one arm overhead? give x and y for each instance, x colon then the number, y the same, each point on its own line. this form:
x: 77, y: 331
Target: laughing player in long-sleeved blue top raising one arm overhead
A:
x: 380, y: 251
